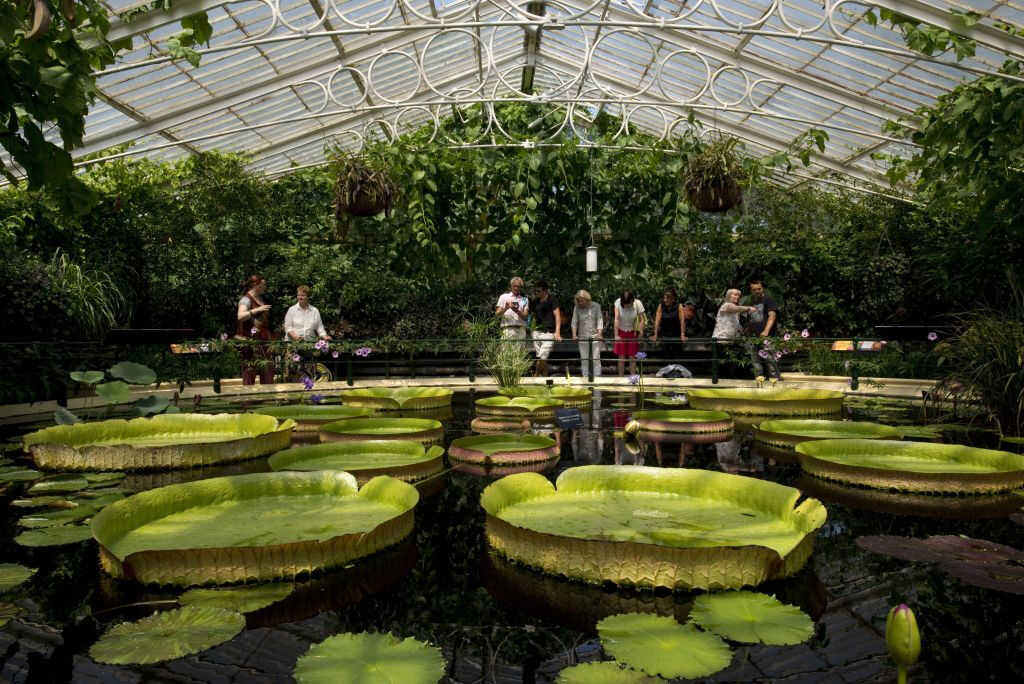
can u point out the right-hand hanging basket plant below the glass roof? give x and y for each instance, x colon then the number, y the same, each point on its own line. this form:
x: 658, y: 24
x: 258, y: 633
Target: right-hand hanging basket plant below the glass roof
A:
x: 713, y: 176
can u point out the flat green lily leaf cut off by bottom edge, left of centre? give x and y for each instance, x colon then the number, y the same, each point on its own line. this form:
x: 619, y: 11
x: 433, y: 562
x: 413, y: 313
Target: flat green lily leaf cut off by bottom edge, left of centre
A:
x: 370, y: 659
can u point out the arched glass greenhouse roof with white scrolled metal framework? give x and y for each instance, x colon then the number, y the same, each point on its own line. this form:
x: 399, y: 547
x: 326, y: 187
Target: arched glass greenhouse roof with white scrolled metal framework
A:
x: 281, y: 79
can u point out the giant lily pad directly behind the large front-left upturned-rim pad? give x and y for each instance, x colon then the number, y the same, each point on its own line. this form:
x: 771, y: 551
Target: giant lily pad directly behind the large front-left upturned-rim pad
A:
x: 409, y: 461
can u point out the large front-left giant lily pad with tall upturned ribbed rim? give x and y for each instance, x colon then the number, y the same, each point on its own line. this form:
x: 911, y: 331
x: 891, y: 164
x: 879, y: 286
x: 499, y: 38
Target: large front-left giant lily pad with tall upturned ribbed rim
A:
x: 260, y: 527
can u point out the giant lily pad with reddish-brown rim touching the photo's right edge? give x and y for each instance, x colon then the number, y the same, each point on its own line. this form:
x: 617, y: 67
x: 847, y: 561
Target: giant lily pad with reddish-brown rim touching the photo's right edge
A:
x: 913, y: 466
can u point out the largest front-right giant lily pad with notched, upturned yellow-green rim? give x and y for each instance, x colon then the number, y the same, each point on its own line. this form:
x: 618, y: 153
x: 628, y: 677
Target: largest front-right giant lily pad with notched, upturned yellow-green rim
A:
x: 653, y: 527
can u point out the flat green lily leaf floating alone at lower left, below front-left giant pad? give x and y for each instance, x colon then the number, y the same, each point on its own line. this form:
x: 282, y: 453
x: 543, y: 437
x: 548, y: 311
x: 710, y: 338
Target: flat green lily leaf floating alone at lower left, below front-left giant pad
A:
x: 166, y: 636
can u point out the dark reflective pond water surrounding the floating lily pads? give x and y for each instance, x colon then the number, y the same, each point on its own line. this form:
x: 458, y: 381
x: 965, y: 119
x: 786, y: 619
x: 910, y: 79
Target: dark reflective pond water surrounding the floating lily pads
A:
x: 502, y: 623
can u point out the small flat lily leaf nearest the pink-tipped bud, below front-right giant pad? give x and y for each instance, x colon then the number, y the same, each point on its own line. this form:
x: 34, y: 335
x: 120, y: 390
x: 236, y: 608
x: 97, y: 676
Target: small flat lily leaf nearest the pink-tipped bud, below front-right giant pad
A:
x: 752, y: 618
